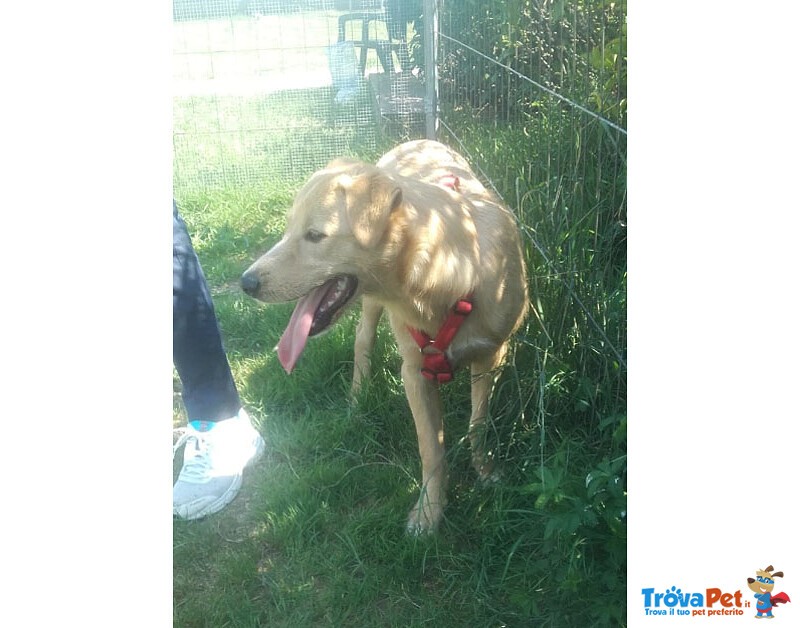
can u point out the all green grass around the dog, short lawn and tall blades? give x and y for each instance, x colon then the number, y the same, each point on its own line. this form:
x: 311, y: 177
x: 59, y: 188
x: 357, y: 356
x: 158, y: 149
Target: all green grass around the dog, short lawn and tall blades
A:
x: 317, y: 535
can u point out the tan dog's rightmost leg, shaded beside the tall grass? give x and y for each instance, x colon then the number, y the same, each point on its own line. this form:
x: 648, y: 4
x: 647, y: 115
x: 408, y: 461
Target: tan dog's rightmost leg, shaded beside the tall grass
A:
x: 484, y: 374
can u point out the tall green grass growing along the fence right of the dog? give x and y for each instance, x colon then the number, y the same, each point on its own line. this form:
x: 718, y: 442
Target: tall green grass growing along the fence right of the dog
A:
x: 563, y: 401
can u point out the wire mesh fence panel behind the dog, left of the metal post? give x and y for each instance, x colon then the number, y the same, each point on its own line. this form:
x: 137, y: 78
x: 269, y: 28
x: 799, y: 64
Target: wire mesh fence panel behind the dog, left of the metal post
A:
x: 276, y: 88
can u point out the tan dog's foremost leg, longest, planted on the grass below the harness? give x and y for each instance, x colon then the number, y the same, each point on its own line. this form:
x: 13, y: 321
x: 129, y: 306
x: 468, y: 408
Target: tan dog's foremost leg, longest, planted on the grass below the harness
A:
x: 423, y: 397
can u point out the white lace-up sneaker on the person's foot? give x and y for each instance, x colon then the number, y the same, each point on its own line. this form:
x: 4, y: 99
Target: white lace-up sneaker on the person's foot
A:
x: 213, y: 461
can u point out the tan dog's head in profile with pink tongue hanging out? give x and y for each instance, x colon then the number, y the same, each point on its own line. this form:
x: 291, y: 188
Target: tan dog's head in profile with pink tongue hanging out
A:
x: 334, y: 232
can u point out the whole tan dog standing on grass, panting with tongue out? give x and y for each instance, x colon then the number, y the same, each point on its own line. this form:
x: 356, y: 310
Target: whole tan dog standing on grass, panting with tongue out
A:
x: 413, y: 235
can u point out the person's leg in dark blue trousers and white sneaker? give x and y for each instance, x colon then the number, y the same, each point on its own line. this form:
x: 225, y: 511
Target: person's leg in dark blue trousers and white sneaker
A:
x: 219, y: 440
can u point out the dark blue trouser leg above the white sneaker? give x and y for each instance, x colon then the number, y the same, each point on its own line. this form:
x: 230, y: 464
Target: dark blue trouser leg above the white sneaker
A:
x: 209, y: 393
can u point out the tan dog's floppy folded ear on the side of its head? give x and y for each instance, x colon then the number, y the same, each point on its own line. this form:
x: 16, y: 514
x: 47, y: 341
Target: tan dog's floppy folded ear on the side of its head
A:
x: 371, y: 199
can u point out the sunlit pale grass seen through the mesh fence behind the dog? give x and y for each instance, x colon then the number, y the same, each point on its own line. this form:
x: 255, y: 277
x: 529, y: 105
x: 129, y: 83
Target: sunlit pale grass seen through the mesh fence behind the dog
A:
x: 225, y: 139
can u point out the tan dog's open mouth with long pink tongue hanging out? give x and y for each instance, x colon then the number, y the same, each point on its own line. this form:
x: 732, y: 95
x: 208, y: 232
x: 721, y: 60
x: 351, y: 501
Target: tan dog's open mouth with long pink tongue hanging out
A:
x: 313, y: 314
